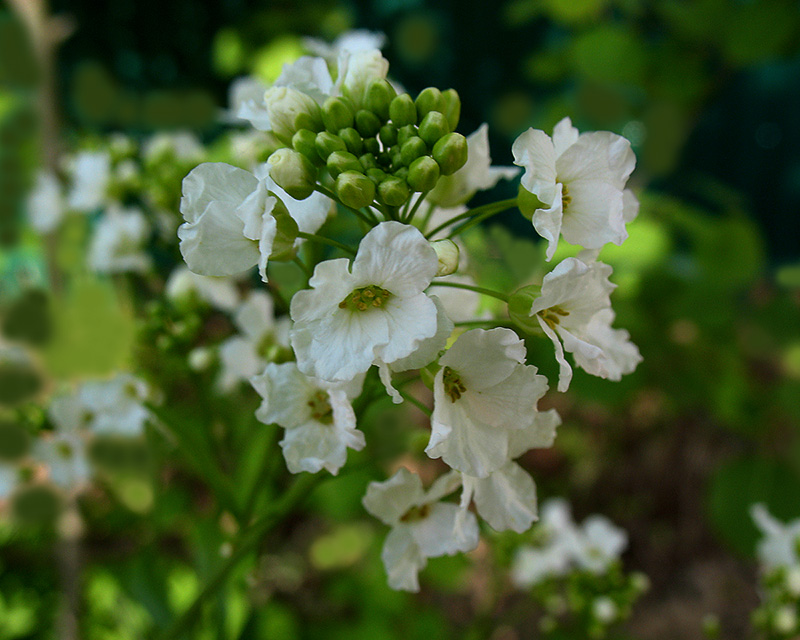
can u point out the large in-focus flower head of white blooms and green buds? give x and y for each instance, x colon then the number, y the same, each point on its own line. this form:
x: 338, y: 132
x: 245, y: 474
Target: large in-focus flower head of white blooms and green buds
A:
x: 346, y: 140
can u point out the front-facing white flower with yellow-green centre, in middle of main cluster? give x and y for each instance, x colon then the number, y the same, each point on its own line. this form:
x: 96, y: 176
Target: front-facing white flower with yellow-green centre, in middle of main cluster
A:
x: 376, y: 312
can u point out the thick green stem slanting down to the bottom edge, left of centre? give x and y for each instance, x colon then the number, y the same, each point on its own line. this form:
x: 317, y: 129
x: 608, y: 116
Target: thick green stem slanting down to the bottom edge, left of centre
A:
x: 248, y: 540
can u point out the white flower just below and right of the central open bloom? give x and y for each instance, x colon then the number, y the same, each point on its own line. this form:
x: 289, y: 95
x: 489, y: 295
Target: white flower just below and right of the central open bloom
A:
x: 482, y: 394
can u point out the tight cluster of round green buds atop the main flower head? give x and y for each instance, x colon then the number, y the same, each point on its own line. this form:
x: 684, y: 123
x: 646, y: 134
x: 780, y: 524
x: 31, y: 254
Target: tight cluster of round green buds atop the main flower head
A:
x: 380, y: 147
